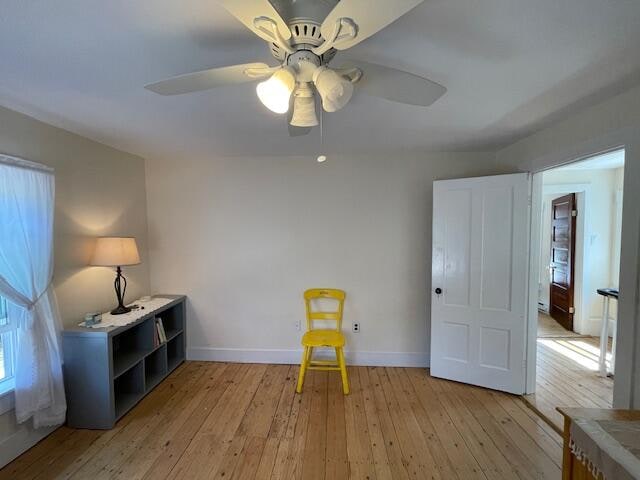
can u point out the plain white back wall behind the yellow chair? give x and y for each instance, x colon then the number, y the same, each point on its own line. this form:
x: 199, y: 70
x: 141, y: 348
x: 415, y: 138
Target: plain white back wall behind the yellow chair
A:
x: 244, y: 237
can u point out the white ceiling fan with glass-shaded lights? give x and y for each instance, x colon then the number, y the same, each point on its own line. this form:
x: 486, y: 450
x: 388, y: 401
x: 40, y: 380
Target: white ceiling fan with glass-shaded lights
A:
x: 304, y: 35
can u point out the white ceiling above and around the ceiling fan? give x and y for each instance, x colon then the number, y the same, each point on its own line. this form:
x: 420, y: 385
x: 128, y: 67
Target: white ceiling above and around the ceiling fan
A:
x: 510, y: 67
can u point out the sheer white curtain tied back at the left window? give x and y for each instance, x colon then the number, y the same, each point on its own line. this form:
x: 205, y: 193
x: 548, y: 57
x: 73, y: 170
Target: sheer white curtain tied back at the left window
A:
x: 26, y: 271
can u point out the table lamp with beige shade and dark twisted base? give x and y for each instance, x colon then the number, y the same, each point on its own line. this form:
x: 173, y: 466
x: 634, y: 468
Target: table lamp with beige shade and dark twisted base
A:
x: 116, y: 252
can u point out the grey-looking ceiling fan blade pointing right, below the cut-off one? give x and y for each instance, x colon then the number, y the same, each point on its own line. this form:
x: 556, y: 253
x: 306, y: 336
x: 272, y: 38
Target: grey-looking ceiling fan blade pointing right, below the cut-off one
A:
x: 397, y: 85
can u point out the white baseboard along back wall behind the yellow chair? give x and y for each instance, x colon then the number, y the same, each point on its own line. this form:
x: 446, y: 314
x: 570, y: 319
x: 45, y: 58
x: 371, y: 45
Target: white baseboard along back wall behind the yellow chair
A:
x: 370, y: 359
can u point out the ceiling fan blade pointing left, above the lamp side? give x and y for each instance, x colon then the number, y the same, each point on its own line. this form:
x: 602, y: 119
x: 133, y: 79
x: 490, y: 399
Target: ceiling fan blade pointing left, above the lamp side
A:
x: 206, y: 79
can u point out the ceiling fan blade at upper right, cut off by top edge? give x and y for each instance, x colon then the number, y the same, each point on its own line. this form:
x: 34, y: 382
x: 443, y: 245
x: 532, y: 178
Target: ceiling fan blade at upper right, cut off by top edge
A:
x: 370, y: 16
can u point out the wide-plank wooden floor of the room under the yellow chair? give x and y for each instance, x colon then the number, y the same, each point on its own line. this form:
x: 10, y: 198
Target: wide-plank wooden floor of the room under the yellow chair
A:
x: 217, y: 420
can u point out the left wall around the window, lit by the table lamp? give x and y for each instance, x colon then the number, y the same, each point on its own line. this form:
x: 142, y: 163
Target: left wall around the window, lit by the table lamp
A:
x: 99, y: 191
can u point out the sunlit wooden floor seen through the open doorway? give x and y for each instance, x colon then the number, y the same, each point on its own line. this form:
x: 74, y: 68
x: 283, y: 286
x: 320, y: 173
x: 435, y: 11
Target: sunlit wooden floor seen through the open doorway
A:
x: 567, y: 376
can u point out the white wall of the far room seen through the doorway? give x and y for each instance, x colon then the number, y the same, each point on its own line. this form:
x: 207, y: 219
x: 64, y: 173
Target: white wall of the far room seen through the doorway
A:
x: 598, y: 218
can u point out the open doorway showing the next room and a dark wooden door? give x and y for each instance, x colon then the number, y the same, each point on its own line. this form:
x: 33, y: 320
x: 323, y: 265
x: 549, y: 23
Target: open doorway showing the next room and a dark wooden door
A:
x: 579, y: 236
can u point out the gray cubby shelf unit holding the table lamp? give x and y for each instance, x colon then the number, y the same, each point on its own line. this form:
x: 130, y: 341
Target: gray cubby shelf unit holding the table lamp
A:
x: 108, y: 370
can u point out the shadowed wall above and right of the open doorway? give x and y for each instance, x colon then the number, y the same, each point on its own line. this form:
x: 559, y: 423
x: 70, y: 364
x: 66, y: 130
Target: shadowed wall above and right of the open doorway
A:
x: 606, y: 126
